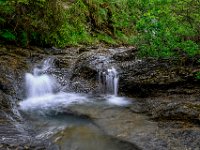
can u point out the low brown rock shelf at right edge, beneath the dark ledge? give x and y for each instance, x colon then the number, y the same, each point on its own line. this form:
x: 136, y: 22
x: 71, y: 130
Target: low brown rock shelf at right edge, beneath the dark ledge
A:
x: 176, y: 108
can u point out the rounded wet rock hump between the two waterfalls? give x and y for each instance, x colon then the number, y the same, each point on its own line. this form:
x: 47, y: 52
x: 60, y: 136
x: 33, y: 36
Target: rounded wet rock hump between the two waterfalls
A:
x: 86, y: 69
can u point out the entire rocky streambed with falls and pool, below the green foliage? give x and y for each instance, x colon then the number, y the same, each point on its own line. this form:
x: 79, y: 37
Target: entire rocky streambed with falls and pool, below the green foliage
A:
x: 172, y: 101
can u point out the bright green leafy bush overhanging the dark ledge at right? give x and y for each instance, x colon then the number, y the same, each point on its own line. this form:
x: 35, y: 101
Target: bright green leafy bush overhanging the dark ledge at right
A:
x: 162, y: 30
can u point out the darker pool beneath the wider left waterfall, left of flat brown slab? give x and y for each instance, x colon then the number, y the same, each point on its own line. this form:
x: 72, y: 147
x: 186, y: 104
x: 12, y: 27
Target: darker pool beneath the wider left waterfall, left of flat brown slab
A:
x: 71, y: 130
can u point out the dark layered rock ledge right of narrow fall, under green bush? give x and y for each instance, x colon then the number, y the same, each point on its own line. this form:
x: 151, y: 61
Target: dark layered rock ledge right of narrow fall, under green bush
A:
x: 150, y: 77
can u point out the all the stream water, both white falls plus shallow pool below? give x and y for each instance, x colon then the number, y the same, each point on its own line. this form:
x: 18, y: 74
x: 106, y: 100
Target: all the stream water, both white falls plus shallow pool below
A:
x: 79, y: 121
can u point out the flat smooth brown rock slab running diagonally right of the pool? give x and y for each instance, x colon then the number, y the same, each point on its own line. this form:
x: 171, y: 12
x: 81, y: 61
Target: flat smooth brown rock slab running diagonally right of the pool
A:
x: 125, y: 125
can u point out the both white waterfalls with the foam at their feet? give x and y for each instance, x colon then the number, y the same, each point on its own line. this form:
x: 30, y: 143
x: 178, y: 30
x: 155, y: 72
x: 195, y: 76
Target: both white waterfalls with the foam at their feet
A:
x: 41, y: 91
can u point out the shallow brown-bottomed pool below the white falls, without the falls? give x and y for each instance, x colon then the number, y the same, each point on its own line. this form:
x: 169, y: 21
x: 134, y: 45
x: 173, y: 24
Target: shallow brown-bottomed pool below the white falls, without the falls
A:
x: 85, y: 126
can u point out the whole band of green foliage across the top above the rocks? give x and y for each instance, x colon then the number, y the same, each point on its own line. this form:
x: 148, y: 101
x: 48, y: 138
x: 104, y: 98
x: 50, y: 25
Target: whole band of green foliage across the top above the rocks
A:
x: 159, y: 28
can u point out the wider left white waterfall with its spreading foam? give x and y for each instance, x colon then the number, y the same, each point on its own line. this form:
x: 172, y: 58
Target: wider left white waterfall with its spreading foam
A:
x: 41, y: 91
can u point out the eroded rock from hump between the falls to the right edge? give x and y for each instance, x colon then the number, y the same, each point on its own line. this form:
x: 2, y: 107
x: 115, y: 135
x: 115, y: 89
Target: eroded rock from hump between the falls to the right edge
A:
x: 166, y: 90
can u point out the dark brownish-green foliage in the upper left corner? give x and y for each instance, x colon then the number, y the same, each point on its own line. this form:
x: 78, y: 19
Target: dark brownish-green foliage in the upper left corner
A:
x: 29, y: 22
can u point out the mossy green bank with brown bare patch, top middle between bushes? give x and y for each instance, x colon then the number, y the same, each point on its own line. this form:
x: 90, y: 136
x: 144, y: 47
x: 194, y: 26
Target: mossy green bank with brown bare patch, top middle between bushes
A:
x: 92, y: 22
